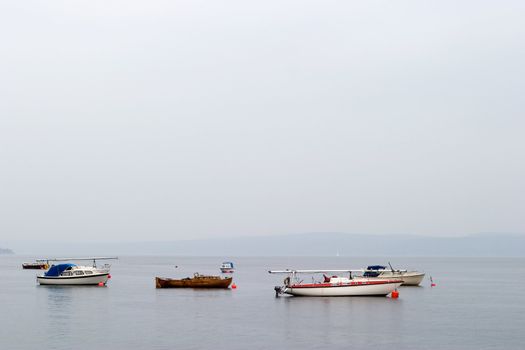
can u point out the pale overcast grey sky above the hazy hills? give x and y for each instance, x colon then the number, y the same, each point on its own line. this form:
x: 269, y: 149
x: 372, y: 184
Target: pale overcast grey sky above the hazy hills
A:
x: 190, y: 119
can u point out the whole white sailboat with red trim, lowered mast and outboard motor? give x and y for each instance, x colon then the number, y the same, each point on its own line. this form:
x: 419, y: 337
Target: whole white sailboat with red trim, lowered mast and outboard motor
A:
x: 335, y: 285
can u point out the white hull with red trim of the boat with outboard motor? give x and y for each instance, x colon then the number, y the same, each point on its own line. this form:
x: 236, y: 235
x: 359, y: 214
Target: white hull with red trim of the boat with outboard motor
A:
x: 371, y: 288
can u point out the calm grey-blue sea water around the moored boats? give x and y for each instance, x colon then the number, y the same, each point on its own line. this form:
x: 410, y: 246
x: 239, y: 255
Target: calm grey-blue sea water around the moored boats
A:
x: 477, y: 304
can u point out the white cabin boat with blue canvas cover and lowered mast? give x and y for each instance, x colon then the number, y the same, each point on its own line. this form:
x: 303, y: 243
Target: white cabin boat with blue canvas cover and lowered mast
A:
x: 72, y: 275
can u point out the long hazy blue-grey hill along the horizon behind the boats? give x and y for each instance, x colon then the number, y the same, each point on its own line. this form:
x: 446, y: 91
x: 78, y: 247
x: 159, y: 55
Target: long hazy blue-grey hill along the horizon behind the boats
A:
x: 308, y: 244
